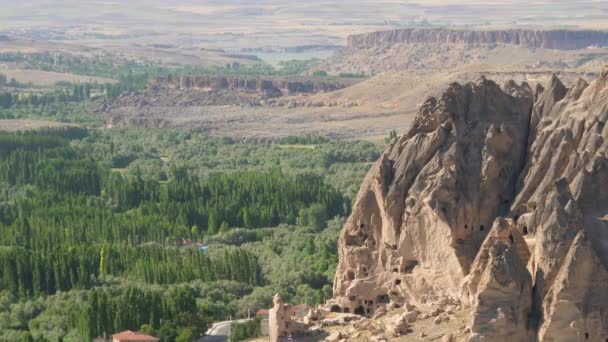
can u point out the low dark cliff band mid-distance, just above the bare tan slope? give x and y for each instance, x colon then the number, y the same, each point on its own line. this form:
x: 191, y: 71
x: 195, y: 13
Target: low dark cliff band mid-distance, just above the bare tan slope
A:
x: 270, y: 86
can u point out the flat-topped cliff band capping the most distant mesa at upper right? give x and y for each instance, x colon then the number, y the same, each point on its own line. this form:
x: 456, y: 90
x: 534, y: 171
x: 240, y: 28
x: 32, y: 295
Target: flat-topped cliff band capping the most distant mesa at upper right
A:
x: 547, y: 39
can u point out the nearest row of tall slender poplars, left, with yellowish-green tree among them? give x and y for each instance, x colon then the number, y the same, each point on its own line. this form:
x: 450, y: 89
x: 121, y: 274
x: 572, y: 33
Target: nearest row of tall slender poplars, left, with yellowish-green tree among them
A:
x: 27, y: 272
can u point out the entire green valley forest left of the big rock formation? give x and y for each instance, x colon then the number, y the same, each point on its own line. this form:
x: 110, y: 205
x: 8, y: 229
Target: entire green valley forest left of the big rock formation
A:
x: 165, y: 231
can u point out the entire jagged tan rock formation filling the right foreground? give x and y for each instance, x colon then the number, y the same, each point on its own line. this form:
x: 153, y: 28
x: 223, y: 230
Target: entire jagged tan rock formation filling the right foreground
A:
x: 495, y: 199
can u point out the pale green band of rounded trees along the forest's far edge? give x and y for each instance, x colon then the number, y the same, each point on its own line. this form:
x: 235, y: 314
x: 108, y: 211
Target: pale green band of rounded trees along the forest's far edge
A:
x: 170, y: 154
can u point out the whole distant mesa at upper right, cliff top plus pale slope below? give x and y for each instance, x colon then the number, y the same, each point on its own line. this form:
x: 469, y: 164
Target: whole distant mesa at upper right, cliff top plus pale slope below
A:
x: 441, y: 49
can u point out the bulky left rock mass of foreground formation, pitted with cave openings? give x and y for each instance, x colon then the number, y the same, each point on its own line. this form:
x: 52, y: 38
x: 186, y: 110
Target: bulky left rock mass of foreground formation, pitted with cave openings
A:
x: 429, y: 202
